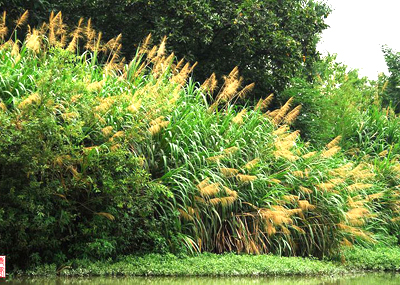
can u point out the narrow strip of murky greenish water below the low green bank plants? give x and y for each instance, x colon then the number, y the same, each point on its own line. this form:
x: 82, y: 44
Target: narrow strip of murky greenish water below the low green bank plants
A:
x: 359, y: 279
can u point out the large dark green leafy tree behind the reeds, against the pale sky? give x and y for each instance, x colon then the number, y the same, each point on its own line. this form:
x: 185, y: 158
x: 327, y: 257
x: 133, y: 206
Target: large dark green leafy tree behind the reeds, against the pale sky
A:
x: 270, y: 41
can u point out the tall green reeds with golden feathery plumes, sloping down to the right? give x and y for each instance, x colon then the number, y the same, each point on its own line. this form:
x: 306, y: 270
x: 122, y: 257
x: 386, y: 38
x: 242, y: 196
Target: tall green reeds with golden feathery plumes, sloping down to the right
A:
x: 222, y: 179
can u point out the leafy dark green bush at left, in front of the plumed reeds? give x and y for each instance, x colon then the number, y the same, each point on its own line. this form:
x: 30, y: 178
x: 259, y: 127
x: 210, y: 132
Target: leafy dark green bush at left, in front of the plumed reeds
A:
x: 71, y: 181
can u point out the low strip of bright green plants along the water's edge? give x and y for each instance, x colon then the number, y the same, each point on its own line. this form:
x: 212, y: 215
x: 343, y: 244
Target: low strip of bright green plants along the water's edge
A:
x: 352, y: 260
